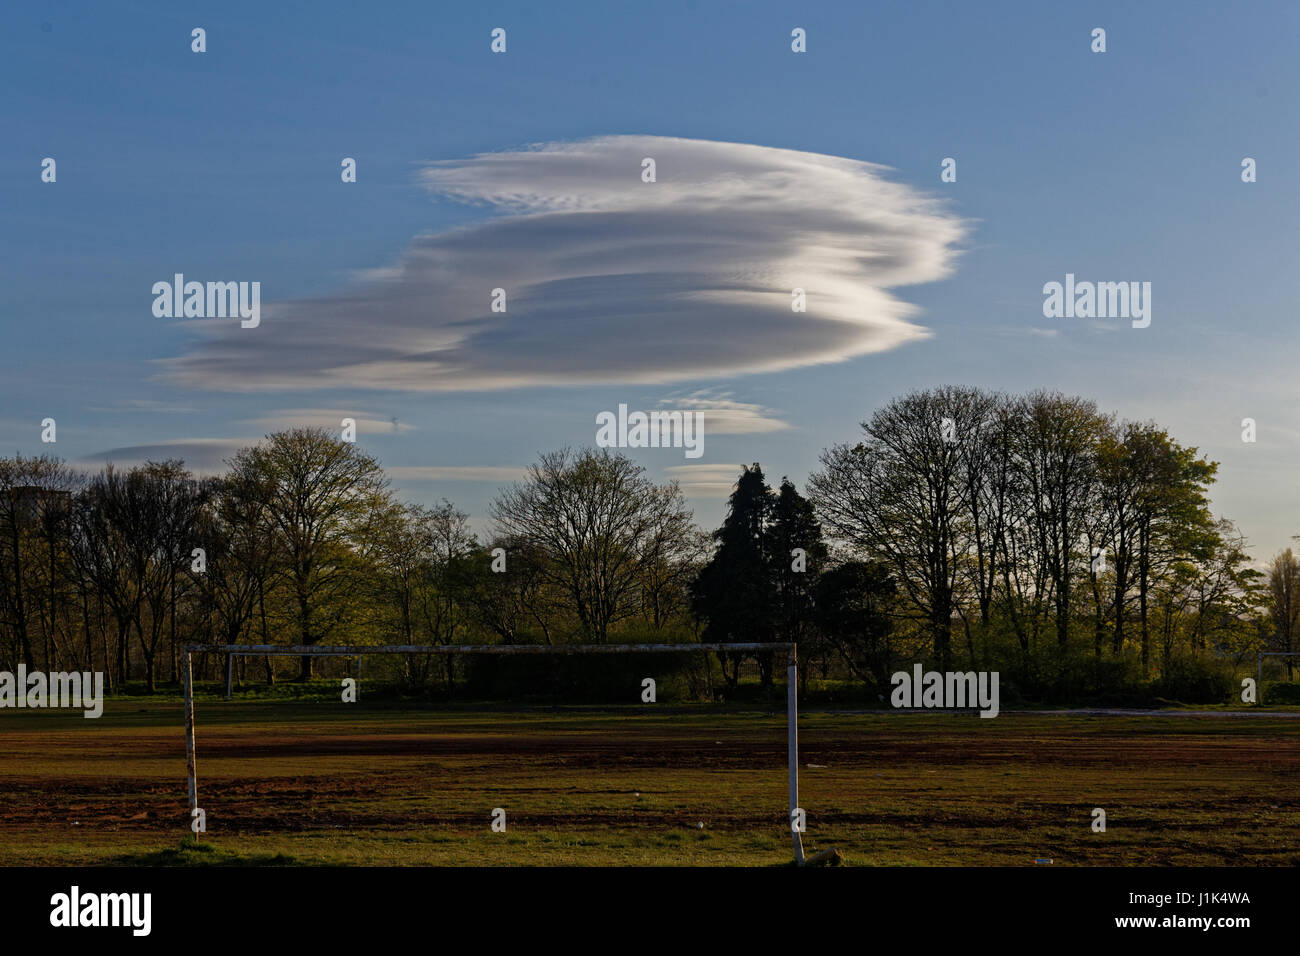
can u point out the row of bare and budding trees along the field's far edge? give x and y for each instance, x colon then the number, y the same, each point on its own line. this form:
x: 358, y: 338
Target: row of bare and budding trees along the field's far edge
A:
x: 970, y: 530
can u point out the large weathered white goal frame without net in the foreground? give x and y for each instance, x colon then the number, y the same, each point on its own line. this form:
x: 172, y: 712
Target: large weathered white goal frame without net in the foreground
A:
x: 796, y: 812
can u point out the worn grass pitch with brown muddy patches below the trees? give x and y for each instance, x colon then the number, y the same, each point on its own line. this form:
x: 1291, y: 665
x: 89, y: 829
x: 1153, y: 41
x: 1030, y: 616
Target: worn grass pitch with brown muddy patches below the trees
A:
x: 309, y: 784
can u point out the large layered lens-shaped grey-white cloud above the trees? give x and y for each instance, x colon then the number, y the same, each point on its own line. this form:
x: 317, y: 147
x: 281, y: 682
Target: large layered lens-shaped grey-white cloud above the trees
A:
x: 610, y: 279
